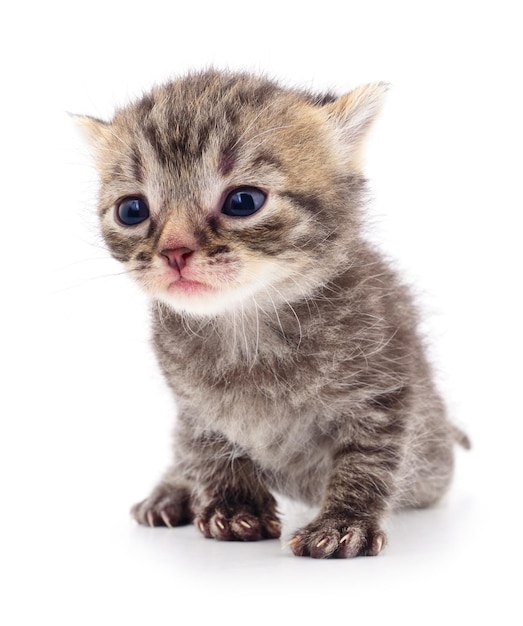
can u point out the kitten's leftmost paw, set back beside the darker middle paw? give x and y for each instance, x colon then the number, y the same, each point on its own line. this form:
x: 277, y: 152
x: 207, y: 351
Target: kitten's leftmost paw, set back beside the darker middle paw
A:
x: 166, y: 506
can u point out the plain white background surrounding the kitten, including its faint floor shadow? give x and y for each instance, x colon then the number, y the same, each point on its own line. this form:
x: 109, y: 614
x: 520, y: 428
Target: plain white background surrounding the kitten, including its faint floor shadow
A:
x: 85, y: 418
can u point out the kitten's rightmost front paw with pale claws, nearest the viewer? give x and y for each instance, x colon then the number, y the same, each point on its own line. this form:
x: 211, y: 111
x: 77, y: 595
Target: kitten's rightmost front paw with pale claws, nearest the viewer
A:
x: 331, y: 538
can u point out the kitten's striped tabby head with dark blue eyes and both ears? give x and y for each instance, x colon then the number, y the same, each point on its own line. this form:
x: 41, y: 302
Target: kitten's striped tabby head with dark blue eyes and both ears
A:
x: 222, y: 190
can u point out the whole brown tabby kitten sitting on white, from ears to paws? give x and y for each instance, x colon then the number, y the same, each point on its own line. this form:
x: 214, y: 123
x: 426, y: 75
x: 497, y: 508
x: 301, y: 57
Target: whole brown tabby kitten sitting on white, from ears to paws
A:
x: 290, y: 345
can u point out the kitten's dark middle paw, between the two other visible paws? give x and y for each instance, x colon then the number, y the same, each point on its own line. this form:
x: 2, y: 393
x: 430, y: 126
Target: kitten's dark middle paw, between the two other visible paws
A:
x: 239, y: 522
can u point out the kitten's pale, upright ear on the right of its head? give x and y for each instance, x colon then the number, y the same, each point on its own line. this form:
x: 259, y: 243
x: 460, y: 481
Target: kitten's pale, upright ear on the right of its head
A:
x: 354, y: 113
